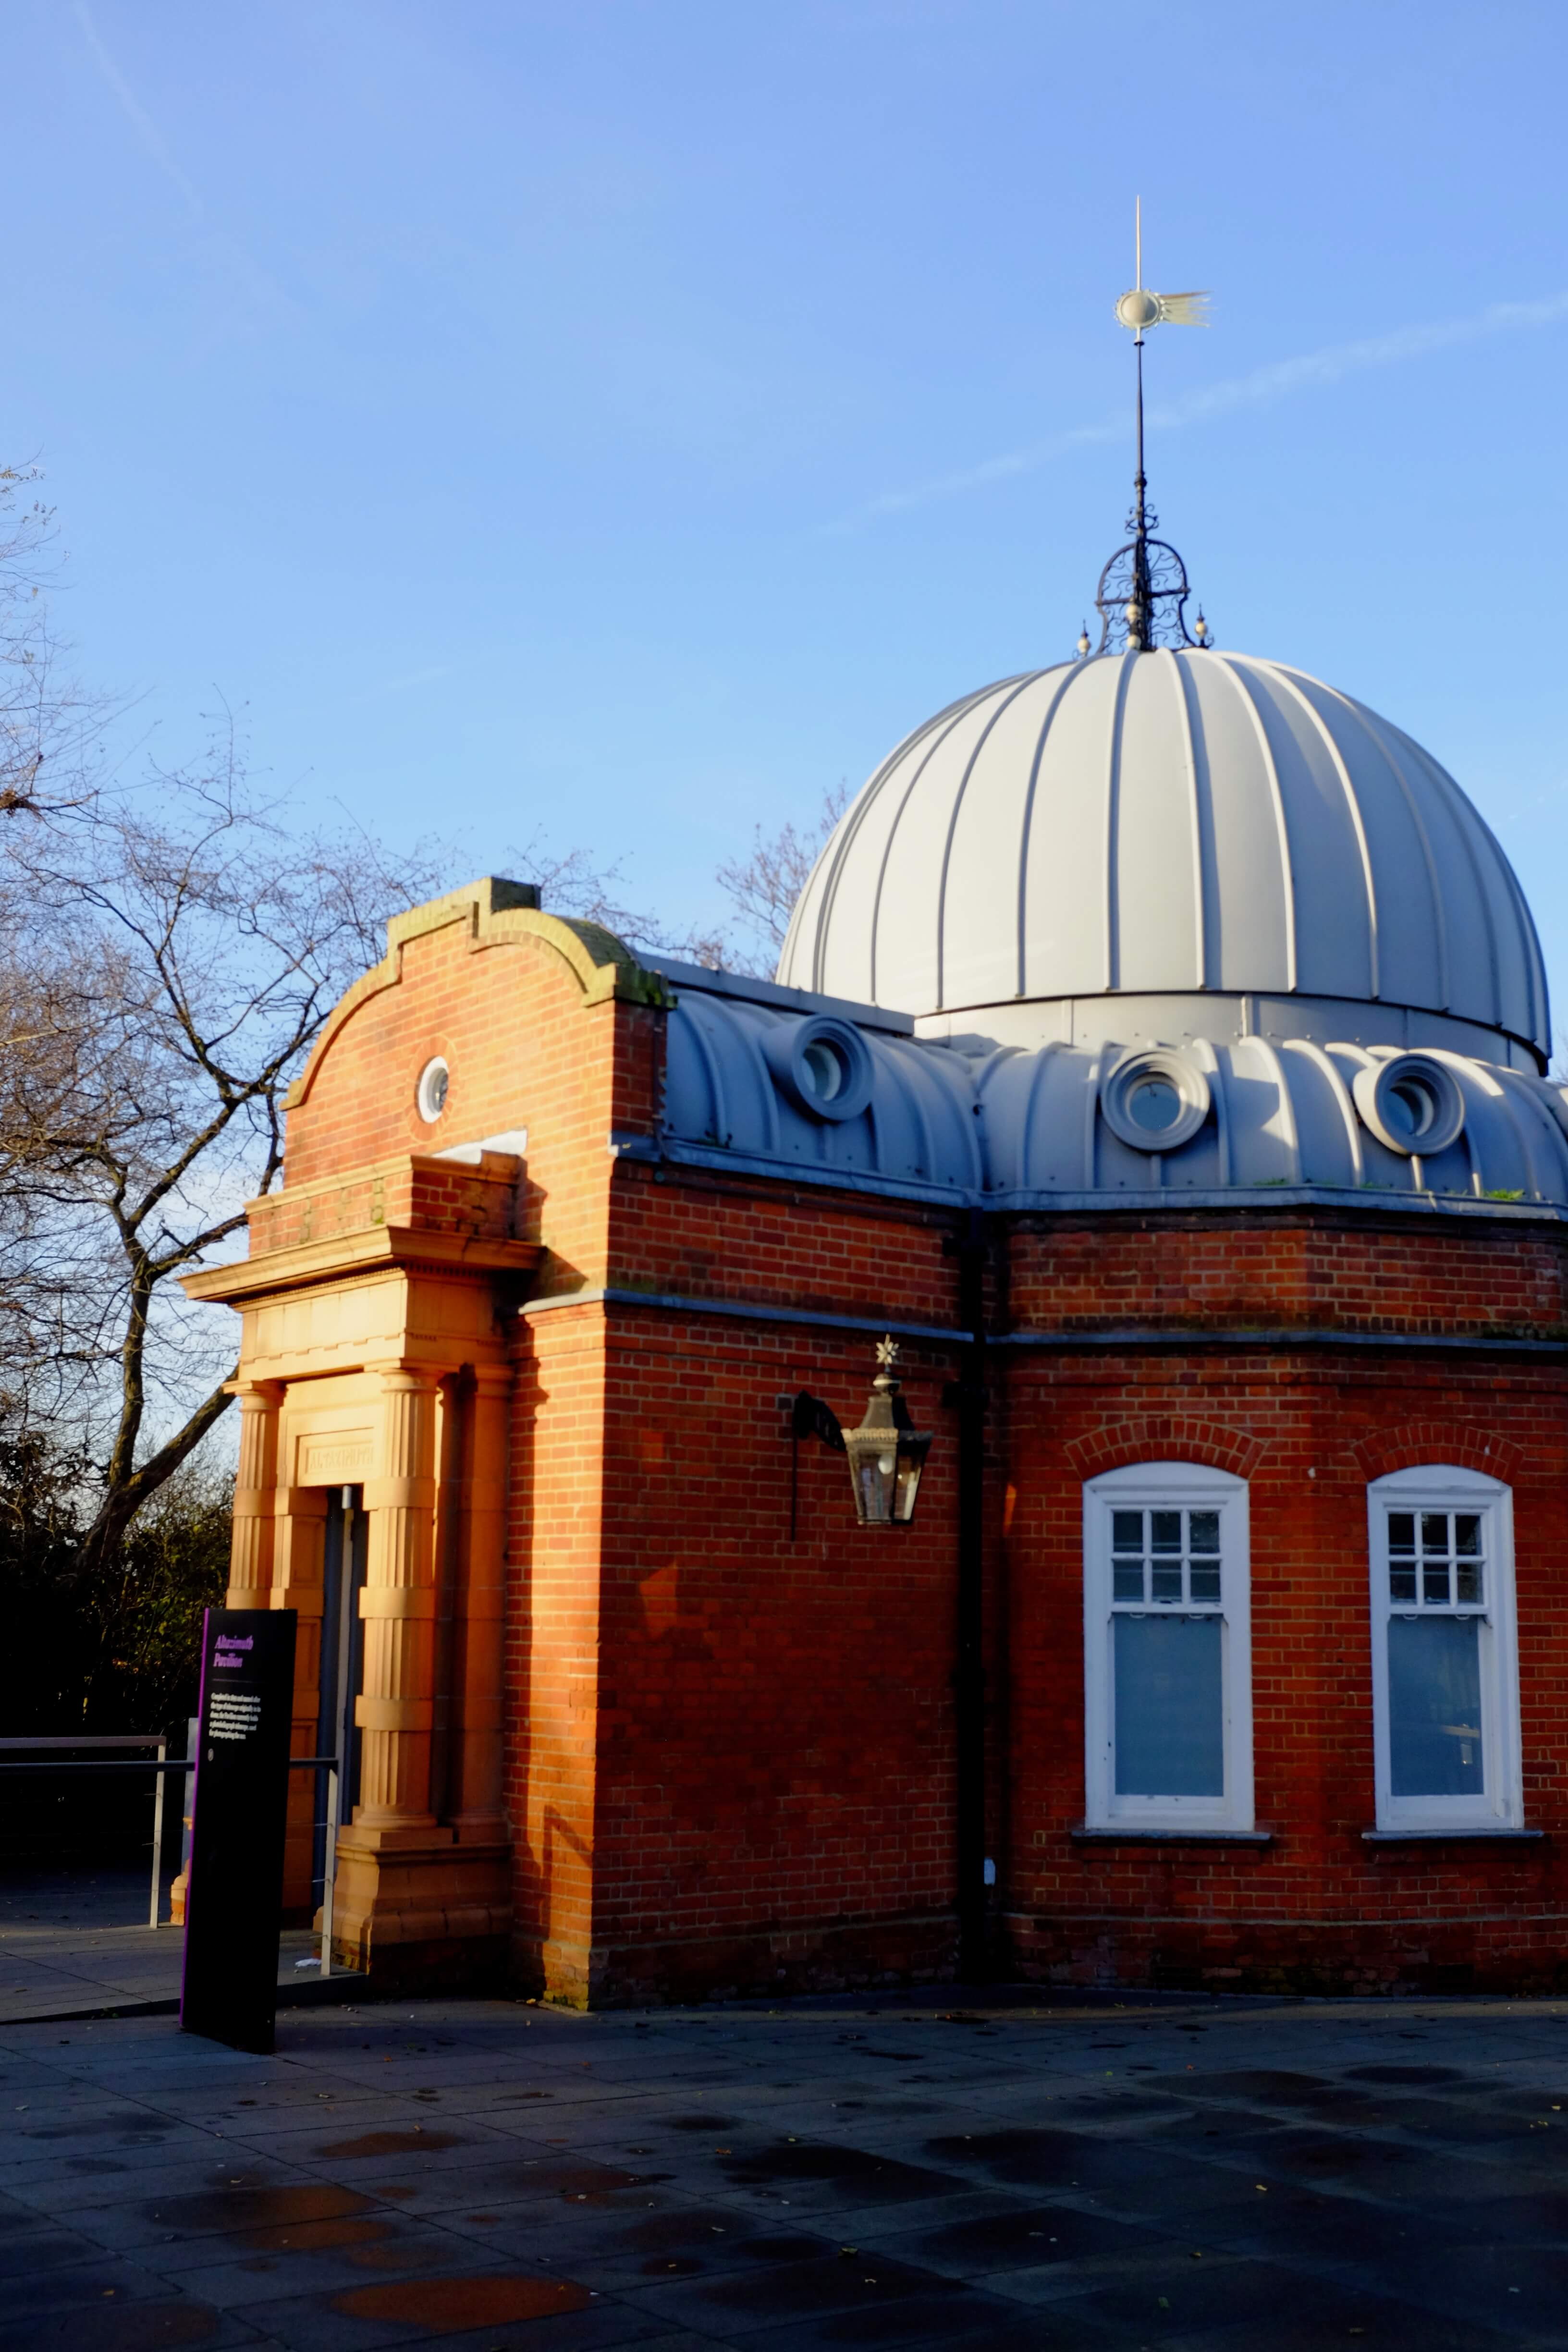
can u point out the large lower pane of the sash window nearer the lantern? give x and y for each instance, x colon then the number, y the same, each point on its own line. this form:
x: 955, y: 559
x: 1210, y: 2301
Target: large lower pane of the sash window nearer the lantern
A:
x: 1170, y: 1709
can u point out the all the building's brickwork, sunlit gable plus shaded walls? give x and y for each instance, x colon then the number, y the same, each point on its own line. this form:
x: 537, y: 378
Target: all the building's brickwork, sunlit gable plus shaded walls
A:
x: 730, y: 1753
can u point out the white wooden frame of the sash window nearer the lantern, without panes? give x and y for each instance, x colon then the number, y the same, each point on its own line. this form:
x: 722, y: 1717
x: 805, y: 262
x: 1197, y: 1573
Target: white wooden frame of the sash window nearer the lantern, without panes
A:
x: 1179, y: 1488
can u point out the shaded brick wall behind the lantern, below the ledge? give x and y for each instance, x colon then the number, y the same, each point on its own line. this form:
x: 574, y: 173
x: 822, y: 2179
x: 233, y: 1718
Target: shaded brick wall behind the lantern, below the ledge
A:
x: 777, y: 1718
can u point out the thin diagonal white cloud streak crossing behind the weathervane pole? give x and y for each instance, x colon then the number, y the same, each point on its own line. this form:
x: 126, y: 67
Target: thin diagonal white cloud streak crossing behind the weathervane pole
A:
x: 1257, y: 389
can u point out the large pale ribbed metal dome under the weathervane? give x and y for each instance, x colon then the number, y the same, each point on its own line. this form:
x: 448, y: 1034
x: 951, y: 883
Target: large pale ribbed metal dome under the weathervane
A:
x: 1167, y: 824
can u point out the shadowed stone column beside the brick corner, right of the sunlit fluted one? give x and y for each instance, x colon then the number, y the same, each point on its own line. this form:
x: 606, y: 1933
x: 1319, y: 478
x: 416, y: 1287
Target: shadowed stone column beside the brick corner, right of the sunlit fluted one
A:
x: 476, y: 1718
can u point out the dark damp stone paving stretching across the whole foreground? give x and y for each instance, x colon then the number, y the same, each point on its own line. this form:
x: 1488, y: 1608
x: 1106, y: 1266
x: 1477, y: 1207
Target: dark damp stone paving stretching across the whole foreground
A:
x: 1193, y: 2179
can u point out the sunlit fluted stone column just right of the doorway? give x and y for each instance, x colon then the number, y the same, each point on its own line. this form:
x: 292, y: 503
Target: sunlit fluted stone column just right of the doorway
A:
x: 398, y: 1608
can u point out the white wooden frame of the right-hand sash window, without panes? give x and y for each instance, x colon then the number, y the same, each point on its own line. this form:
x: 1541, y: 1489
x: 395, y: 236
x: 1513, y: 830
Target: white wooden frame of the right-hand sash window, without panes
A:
x: 1447, y: 1488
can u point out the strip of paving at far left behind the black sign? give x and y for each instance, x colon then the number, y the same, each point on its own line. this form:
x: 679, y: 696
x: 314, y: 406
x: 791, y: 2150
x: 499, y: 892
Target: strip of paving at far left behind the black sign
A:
x: 79, y: 1939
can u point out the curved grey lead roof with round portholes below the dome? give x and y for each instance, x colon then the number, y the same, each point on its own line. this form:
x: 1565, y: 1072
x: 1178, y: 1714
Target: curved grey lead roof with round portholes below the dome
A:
x: 1021, y: 1130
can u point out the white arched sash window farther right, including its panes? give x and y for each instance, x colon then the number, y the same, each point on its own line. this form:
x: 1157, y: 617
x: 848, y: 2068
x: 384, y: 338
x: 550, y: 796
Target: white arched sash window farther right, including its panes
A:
x: 1445, y: 1655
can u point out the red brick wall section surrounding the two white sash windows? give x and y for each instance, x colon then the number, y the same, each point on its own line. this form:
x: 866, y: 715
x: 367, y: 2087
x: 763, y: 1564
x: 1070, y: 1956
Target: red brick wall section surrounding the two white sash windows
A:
x: 1308, y: 1429
